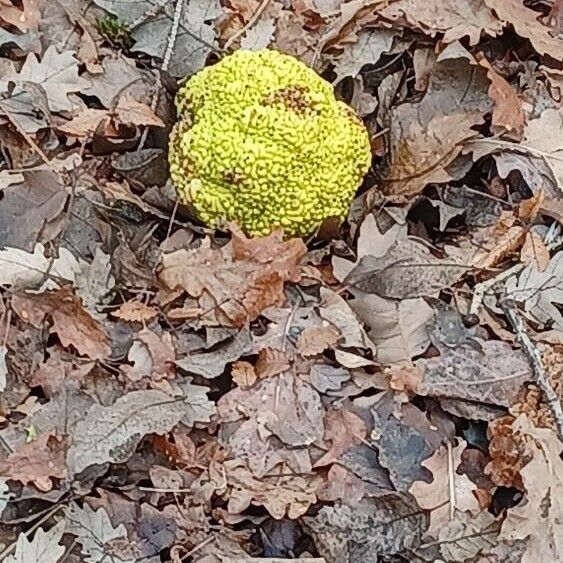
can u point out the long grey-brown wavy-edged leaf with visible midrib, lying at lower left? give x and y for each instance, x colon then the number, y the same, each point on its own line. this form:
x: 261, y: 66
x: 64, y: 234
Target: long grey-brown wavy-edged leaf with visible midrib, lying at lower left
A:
x: 111, y: 434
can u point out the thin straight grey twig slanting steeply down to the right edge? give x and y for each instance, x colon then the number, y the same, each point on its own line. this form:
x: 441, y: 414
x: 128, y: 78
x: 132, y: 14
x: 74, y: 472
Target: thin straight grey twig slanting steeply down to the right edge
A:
x: 534, y: 358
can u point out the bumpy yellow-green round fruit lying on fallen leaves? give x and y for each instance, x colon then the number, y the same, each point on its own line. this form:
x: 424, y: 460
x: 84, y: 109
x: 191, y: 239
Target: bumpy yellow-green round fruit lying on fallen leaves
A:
x: 262, y: 141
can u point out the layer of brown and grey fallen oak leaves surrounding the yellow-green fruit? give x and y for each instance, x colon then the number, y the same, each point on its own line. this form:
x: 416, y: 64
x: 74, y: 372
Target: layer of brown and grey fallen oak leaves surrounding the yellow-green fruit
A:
x: 172, y: 393
